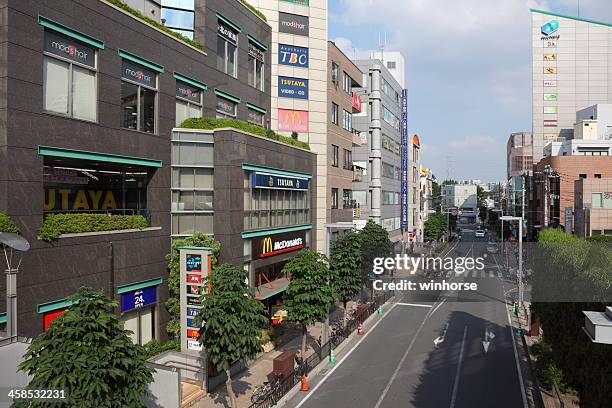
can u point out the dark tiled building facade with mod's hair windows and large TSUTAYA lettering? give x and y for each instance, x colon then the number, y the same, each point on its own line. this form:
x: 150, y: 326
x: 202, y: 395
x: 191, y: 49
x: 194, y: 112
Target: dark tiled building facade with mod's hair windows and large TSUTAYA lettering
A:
x: 104, y: 146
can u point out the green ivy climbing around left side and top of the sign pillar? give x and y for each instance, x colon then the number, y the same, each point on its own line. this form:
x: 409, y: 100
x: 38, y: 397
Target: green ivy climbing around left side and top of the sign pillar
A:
x: 173, y: 304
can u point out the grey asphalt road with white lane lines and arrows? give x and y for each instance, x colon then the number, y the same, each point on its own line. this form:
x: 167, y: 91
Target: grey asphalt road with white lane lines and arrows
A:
x: 399, y: 364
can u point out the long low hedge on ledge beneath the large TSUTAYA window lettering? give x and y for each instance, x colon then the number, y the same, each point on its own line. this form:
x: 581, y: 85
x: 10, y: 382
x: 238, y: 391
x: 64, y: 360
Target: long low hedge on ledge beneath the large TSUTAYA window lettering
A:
x: 55, y: 225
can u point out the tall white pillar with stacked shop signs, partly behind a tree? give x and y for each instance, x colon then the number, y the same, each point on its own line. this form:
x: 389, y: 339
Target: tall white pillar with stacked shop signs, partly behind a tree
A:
x: 195, y: 268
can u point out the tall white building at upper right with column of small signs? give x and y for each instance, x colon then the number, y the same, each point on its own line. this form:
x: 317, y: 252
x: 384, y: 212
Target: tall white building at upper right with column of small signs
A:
x: 572, y: 62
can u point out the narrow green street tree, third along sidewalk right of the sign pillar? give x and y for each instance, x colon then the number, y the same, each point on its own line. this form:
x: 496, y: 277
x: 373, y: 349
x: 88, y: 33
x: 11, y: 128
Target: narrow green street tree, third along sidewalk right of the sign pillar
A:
x: 345, y: 267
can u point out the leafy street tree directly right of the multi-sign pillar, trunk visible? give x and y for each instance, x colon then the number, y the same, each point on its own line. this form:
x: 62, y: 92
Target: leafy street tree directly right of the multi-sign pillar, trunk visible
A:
x: 233, y: 321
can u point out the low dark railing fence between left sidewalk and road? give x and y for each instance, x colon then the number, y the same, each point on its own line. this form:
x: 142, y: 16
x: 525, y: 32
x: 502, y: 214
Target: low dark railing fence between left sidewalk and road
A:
x: 314, y: 359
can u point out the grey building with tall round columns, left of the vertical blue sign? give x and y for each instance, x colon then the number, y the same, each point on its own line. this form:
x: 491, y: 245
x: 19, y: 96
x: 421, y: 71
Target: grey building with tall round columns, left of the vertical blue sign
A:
x: 379, y: 126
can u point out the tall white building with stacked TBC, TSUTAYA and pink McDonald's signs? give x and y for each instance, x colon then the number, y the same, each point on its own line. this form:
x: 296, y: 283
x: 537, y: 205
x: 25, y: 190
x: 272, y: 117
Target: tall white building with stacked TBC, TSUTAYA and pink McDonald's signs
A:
x: 299, y: 83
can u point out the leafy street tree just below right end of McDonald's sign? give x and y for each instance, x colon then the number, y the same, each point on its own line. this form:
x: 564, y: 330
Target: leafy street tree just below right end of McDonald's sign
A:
x: 308, y: 296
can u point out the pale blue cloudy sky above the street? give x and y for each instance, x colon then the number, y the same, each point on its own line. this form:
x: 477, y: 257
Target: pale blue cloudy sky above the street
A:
x: 468, y: 70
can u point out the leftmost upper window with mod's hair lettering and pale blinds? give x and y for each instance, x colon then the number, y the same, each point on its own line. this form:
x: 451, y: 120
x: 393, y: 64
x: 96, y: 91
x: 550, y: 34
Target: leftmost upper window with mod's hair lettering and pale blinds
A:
x: 69, y: 78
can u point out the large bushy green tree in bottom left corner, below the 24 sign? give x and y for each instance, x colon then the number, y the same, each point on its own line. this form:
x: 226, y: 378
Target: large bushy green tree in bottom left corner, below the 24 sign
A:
x: 87, y: 352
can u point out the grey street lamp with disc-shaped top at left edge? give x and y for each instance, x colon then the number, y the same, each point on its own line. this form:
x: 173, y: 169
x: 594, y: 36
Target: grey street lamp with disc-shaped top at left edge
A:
x: 10, y: 242
